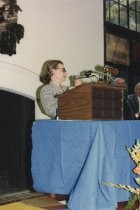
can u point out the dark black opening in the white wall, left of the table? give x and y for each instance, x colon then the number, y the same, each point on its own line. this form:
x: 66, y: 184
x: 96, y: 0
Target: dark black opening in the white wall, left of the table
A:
x: 17, y: 114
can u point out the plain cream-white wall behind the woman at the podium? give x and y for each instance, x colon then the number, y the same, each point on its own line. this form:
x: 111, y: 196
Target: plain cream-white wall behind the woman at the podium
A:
x: 71, y: 31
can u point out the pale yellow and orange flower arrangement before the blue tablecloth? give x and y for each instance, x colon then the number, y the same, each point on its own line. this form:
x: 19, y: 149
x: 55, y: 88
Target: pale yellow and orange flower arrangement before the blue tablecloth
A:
x: 135, y: 192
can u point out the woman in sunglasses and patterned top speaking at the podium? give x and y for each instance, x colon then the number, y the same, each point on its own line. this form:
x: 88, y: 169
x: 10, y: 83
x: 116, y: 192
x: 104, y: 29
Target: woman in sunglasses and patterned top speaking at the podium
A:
x: 53, y: 74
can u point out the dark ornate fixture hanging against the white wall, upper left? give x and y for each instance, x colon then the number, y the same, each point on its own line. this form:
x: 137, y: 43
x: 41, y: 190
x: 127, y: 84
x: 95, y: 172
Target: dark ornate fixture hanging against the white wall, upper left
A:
x: 10, y: 31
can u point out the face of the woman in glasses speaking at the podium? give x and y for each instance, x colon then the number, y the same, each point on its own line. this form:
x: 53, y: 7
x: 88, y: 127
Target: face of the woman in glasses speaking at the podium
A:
x: 59, y: 73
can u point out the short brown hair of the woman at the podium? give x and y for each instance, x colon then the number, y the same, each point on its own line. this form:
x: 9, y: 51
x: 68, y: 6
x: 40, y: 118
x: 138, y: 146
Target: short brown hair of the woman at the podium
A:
x: 46, y: 71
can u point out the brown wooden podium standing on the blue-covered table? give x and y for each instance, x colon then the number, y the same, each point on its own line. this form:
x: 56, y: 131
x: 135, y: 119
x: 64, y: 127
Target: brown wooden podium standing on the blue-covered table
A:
x: 91, y: 101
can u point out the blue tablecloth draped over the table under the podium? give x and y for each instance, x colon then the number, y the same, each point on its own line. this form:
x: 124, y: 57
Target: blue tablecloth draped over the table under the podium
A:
x: 76, y: 157
